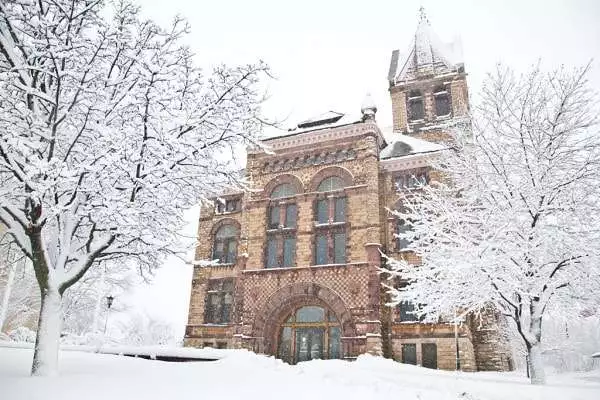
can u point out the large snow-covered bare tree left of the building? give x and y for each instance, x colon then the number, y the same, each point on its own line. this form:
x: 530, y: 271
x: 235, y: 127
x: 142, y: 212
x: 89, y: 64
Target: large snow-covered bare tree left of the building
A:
x: 107, y: 134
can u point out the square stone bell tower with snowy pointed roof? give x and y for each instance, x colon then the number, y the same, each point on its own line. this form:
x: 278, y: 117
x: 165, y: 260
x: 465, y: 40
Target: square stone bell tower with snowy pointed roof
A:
x: 428, y: 86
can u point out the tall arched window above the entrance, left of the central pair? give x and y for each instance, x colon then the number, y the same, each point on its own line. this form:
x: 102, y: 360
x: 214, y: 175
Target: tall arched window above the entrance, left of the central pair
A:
x: 282, y: 215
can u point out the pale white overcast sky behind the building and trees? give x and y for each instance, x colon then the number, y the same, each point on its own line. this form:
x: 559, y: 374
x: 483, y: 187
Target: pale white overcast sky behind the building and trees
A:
x: 327, y: 54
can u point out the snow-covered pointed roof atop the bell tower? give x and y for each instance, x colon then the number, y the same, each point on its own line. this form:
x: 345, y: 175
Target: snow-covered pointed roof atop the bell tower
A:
x: 426, y: 54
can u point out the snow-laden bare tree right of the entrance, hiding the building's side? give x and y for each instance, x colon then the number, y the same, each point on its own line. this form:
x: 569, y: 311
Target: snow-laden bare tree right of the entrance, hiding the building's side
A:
x: 516, y: 222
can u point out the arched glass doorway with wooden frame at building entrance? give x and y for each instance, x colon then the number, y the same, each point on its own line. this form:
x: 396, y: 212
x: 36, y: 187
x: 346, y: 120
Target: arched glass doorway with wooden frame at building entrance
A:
x: 309, y: 333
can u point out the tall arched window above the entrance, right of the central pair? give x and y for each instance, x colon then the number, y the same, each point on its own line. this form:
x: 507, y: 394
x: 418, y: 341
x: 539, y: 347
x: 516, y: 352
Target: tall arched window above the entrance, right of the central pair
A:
x: 330, y: 222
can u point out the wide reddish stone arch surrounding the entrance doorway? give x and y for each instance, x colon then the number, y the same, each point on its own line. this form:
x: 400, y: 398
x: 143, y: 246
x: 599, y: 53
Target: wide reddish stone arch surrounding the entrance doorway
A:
x: 284, y: 301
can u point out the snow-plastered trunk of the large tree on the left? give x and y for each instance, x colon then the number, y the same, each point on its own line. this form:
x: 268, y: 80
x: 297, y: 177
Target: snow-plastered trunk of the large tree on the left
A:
x: 45, y: 356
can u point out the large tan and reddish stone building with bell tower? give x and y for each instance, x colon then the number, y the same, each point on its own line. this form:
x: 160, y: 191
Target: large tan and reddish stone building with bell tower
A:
x: 299, y: 260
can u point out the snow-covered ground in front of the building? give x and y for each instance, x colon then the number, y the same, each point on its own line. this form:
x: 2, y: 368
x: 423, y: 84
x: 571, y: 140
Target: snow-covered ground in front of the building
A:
x: 243, y: 375
